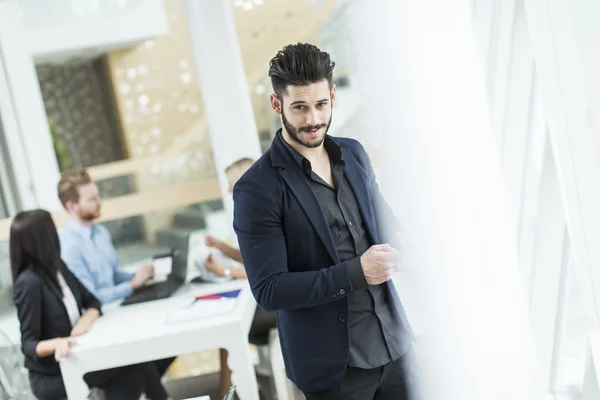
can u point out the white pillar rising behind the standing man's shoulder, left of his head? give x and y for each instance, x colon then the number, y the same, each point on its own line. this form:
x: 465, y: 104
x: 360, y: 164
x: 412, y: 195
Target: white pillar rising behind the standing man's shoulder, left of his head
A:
x: 223, y: 85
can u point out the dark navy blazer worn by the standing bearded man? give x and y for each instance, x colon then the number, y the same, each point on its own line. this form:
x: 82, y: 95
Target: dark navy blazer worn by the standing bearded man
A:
x: 292, y: 263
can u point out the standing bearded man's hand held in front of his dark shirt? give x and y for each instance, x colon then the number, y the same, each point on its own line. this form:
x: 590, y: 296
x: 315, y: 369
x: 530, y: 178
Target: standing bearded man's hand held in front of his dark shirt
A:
x: 379, y: 263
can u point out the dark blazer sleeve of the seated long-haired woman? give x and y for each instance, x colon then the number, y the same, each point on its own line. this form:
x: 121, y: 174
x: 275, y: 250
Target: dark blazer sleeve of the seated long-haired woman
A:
x: 27, y: 295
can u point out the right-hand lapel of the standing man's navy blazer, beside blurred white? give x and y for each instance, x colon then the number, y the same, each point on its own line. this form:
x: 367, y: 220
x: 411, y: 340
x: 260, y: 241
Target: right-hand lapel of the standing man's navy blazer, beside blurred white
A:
x: 359, y: 182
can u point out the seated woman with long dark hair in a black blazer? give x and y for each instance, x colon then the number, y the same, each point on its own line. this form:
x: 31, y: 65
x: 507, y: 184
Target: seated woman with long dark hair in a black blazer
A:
x: 49, y: 301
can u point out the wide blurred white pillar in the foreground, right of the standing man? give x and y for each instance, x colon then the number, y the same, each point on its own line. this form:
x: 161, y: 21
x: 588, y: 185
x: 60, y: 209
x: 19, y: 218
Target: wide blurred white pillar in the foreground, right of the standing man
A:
x: 424, y: 92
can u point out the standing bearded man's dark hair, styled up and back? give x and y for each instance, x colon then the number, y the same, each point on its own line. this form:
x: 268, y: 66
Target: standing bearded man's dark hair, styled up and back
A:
x: 299, y: 65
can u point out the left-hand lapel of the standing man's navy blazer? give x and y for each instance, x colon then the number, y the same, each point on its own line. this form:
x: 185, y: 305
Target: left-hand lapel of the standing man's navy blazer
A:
x: 297, y: 182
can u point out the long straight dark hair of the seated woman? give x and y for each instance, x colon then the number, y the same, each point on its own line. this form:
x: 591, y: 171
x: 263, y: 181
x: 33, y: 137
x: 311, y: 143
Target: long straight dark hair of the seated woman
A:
x: 34, y: 244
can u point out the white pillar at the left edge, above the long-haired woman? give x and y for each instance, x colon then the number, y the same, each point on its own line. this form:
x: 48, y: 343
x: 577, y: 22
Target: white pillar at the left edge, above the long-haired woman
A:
x: 24, y: 119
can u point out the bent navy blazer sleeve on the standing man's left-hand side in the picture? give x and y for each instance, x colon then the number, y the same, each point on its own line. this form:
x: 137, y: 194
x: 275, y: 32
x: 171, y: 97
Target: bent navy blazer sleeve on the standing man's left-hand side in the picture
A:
x: 259, y: 229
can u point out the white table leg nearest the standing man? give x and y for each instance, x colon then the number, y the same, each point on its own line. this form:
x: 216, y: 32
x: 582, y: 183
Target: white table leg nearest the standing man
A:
x: 240, y: 363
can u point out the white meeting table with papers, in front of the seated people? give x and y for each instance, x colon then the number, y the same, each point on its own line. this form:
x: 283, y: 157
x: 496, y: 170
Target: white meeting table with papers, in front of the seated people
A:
x: 139, y: 333
